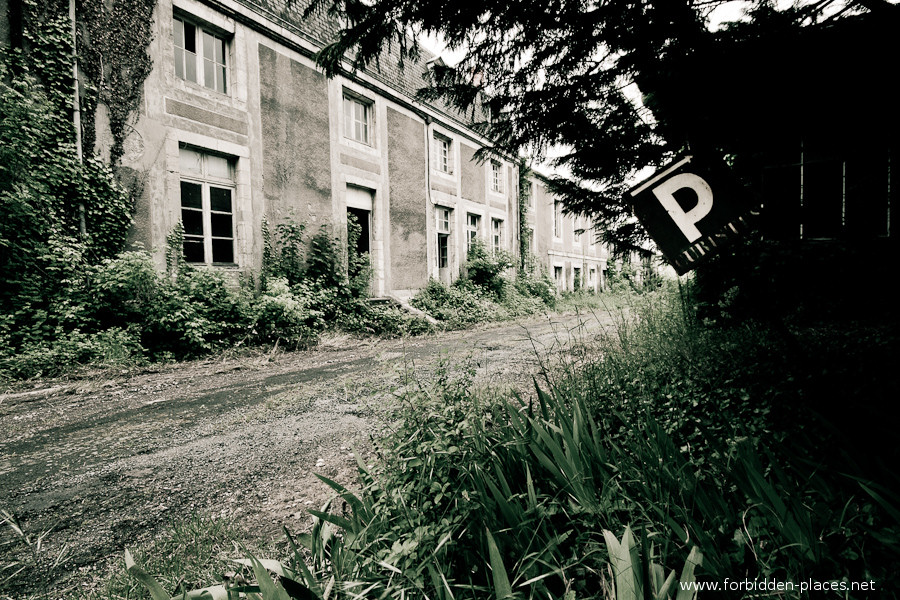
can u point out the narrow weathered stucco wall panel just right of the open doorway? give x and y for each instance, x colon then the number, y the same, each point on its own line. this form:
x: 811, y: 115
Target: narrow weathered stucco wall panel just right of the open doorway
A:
x: 406, y: 170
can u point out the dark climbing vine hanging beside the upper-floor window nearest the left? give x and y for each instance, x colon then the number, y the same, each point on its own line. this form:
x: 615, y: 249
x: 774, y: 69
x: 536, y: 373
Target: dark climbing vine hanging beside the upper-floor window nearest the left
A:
x: 112, y: 45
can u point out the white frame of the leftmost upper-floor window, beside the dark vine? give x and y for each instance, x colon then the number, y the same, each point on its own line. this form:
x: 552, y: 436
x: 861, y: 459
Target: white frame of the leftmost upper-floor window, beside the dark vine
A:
x: 204, y: 58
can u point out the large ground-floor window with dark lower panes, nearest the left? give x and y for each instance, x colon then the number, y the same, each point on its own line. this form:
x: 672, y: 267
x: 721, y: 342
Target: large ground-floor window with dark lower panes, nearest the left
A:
x: 207, y: 207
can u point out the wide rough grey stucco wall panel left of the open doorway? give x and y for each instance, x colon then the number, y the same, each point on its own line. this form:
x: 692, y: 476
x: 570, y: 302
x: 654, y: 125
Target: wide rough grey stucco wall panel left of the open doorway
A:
x: 296, y: 154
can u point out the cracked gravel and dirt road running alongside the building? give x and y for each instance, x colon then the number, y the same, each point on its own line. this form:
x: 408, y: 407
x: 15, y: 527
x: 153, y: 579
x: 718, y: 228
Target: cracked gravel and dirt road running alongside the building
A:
x: 108, y: 461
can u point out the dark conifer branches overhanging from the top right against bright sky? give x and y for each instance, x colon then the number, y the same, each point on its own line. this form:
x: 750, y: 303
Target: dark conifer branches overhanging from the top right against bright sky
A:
x: 565, y: 74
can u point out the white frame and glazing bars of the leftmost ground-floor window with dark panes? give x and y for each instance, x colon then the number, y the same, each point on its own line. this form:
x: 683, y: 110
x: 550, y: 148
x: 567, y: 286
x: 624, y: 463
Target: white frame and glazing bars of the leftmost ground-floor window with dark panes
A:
x: 206, y: 180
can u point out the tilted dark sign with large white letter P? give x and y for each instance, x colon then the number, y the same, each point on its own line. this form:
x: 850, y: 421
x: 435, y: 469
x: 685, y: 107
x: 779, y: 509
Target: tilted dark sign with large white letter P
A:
x: 691, y: 211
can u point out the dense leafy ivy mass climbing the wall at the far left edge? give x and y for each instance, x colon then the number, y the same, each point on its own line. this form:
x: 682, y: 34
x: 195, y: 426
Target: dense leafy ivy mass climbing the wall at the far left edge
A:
x: 44, y: 186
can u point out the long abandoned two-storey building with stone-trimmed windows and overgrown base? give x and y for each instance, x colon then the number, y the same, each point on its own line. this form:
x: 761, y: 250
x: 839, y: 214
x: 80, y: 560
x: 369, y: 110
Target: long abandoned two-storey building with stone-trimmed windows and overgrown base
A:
x: 237, y: 125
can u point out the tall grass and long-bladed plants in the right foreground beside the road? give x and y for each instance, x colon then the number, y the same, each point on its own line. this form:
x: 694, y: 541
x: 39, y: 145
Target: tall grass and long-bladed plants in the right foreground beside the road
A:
x: 668, y: 457
